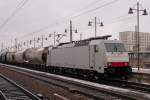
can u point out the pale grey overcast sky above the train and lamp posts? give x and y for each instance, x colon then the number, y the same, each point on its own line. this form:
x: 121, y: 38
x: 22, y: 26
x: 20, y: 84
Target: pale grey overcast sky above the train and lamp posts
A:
x: 35, y: 15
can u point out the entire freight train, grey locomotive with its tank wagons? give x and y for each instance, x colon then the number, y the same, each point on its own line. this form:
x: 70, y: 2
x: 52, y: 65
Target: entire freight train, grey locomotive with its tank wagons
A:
x: 89, y: 57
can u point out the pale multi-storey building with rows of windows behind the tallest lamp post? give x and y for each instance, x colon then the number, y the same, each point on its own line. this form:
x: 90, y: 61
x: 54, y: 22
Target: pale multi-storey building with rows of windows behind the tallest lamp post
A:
x: 129, y: 38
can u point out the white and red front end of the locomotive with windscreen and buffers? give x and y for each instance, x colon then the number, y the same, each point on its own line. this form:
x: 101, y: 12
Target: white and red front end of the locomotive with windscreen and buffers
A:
x: 117, y: 58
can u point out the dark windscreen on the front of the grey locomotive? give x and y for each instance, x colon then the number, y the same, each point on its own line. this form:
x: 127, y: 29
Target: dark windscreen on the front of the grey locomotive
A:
x: 115, y: 47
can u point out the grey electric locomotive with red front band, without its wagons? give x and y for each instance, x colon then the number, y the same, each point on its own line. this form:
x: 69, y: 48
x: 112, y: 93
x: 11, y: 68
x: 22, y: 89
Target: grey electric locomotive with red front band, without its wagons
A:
x: 91, y: 56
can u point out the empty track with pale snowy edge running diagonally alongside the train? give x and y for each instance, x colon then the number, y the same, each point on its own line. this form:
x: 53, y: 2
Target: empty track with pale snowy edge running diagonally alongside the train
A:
x: 90, y: 89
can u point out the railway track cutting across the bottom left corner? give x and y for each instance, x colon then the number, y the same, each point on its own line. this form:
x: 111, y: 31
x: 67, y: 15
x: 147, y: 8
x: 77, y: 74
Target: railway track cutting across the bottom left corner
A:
x: 9, y: 90
